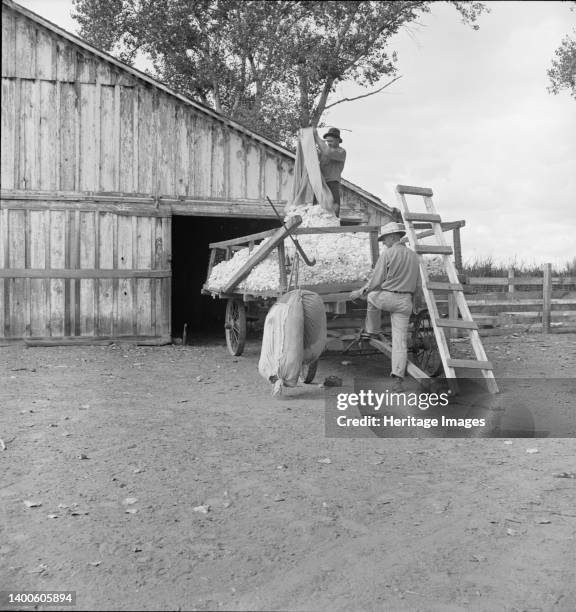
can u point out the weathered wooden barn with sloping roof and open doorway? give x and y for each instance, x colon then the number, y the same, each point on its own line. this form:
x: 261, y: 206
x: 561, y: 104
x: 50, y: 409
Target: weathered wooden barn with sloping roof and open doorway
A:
x: 112, y: 187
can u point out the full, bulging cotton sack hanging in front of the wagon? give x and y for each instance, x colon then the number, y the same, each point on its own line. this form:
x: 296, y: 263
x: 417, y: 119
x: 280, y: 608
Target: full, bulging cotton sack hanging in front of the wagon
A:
x: 294, y: 335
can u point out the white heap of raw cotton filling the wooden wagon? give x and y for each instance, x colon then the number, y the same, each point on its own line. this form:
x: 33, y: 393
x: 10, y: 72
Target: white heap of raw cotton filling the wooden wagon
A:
x: 340, y: 257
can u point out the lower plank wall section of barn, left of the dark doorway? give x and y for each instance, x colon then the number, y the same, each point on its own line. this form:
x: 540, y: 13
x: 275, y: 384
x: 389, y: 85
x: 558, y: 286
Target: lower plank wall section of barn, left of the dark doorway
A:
x: 72, y: 272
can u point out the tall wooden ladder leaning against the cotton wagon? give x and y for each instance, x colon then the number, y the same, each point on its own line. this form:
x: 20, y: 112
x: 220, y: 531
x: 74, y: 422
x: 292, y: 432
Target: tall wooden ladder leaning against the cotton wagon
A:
x: 453, y: 287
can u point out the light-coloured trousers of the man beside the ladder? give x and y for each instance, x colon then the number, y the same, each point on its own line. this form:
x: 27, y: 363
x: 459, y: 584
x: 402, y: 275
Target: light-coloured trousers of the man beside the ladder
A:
x: 399, y: 305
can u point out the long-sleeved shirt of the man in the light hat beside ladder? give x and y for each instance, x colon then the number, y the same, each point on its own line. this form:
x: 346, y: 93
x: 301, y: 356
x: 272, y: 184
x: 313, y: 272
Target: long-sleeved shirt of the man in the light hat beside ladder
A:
x: 397, y: 269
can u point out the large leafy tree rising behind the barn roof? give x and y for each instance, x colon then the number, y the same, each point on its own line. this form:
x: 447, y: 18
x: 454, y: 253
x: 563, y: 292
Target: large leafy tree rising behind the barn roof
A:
x: 272, y: 65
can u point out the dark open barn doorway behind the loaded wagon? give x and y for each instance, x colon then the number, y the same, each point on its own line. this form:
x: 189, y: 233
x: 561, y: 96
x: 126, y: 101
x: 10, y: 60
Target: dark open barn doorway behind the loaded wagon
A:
x: 190, y: 253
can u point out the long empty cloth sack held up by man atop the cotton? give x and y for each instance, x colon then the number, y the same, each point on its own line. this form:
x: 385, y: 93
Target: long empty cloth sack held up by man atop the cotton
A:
x: 308, y: 180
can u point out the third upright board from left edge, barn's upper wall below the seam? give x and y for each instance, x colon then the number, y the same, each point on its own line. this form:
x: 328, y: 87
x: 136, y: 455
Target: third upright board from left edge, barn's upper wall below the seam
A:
x: 48, y: 136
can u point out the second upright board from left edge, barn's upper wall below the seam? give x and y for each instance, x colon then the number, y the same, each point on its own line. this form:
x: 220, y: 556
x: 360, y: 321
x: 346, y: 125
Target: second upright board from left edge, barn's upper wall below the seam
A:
x: 29, y: 134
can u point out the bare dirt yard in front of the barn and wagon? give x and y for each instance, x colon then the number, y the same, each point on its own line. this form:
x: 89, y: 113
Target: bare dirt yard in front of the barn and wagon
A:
x: 167, y: 478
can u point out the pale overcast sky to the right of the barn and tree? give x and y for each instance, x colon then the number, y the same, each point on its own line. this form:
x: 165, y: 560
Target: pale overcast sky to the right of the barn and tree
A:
x: 470, y: 118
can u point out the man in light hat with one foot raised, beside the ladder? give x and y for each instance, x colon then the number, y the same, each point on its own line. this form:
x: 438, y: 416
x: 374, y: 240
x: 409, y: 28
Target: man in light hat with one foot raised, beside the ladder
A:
x: 392, y: 286
